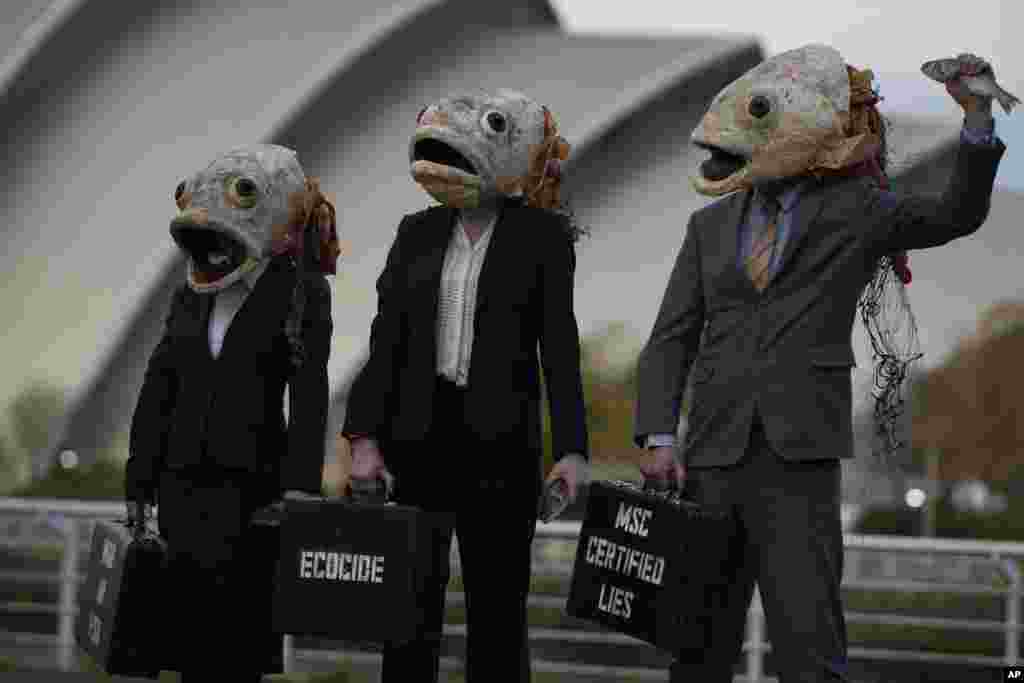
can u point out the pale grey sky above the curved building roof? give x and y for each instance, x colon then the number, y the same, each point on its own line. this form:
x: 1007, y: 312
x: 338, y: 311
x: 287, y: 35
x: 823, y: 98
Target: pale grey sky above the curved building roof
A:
x: 891, y: 38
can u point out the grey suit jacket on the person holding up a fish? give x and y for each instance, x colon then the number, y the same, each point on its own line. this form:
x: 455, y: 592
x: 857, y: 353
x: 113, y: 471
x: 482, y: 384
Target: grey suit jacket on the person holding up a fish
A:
x: 786, y: 353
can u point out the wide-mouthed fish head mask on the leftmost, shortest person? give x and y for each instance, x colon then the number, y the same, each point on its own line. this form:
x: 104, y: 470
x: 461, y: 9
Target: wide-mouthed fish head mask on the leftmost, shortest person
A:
x: 249, y: 204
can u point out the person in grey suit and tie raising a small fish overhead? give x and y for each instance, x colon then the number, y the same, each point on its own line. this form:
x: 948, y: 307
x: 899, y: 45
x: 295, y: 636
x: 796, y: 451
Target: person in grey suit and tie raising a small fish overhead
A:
x: 758, y: 316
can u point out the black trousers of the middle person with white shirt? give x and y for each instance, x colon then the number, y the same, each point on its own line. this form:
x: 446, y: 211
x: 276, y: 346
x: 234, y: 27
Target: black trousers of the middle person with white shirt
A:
x: 488, y: 496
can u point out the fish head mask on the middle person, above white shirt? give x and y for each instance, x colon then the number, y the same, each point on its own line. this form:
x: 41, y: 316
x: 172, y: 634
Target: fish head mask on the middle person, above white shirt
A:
x: 473, y: 150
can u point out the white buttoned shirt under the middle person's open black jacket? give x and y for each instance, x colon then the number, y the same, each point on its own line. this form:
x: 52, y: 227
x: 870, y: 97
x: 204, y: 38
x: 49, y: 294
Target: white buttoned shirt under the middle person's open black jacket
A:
x: 457, y: 303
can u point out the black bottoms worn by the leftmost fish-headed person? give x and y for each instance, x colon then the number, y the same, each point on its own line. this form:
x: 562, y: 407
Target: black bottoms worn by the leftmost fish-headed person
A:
x: 220, y: 576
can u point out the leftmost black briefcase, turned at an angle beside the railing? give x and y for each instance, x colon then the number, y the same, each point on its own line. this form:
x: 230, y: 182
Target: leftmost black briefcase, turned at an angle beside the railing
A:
x: 117, y: 619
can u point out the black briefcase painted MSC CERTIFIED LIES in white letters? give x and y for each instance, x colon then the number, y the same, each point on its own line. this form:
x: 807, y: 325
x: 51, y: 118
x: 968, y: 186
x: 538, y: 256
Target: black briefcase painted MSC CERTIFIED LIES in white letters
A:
x: 651, y: 565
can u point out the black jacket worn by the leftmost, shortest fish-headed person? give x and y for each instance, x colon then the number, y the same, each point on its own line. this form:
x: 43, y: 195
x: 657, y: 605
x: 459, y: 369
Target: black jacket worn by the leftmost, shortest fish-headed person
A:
x: 229, y: 412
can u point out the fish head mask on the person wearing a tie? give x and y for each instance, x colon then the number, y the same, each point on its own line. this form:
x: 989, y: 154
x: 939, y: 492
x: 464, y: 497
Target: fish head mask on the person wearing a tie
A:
x: 787, y: 117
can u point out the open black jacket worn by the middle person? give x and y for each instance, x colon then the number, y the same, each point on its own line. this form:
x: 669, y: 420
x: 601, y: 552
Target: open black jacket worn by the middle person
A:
x: 525, y: 300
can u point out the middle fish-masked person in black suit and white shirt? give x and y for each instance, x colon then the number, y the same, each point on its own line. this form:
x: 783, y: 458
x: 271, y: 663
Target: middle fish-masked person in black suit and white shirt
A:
x: 448, y: 407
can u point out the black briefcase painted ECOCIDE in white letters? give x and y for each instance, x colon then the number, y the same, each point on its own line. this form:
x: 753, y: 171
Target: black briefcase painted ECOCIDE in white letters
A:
x: 352, y: 572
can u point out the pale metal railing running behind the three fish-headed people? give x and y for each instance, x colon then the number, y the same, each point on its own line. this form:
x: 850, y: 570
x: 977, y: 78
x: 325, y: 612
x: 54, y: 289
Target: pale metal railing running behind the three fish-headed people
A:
x: 950, y: 567
